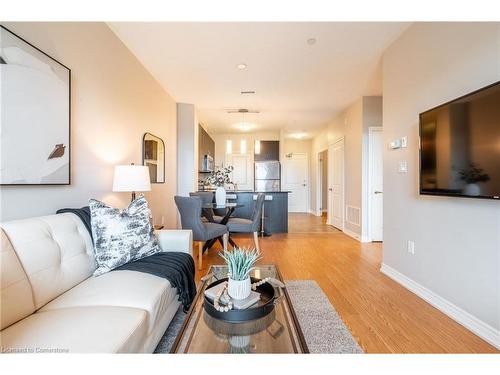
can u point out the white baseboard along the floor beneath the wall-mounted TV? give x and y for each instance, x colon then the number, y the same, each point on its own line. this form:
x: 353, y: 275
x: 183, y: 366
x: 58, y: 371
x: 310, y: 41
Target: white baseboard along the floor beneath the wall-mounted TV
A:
x: 477, y: 326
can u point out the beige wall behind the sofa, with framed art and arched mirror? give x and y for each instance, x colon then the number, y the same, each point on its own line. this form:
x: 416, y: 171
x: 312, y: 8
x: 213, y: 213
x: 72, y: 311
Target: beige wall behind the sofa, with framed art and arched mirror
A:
x: 114, y: 102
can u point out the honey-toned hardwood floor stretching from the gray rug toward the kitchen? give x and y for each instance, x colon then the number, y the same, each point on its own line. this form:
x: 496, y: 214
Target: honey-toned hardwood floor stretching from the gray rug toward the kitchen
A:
x: 382, y: 316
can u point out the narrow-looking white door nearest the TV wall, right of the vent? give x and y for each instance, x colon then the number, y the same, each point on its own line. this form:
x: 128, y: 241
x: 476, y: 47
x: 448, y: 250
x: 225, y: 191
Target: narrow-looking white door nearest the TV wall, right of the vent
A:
x: 376, y: 222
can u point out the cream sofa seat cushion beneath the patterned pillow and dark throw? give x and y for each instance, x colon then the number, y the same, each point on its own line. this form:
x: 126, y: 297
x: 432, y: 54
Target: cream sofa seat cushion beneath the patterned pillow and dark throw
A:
x: 122, y: 289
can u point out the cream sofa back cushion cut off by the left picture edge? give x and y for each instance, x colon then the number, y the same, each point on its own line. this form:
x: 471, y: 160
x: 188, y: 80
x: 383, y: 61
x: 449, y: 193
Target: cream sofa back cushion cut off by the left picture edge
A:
x: 16, y: 297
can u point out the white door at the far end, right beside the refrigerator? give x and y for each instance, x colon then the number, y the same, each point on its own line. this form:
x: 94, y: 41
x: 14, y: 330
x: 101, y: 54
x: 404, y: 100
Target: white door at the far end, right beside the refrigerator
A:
x: 297, y: 182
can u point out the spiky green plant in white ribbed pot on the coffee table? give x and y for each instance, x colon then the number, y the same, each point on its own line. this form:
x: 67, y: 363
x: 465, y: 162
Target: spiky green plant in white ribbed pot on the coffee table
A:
x: 240, y: 262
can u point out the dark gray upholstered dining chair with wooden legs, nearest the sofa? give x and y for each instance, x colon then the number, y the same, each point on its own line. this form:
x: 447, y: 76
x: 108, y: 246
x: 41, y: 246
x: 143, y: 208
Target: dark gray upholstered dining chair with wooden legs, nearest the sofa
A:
x: 190, y: 211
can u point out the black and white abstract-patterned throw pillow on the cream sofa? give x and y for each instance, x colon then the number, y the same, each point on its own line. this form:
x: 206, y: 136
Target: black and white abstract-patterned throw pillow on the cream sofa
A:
x: 121, y: 236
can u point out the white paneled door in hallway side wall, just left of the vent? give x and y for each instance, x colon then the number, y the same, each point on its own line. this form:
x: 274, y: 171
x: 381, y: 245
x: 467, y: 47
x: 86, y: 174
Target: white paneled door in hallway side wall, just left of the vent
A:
x: 336, y: 184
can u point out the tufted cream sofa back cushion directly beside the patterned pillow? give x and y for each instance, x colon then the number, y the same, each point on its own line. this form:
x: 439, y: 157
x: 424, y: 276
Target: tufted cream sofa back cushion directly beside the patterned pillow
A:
x: 55, y: 252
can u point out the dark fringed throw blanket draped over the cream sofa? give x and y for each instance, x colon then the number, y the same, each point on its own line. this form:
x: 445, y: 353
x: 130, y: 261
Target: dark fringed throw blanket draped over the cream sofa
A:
x: 176, y: 267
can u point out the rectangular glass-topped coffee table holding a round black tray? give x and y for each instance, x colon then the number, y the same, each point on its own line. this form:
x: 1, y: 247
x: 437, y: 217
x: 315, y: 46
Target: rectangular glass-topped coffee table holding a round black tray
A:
x: 278, y: 332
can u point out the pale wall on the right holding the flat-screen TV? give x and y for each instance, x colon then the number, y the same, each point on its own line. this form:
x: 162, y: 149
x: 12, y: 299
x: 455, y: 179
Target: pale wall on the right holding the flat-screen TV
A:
x: 457, y: 240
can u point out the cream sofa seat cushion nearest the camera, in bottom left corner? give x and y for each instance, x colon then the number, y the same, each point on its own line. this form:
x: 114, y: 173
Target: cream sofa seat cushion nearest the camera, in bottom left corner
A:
x: 100, y: 329
